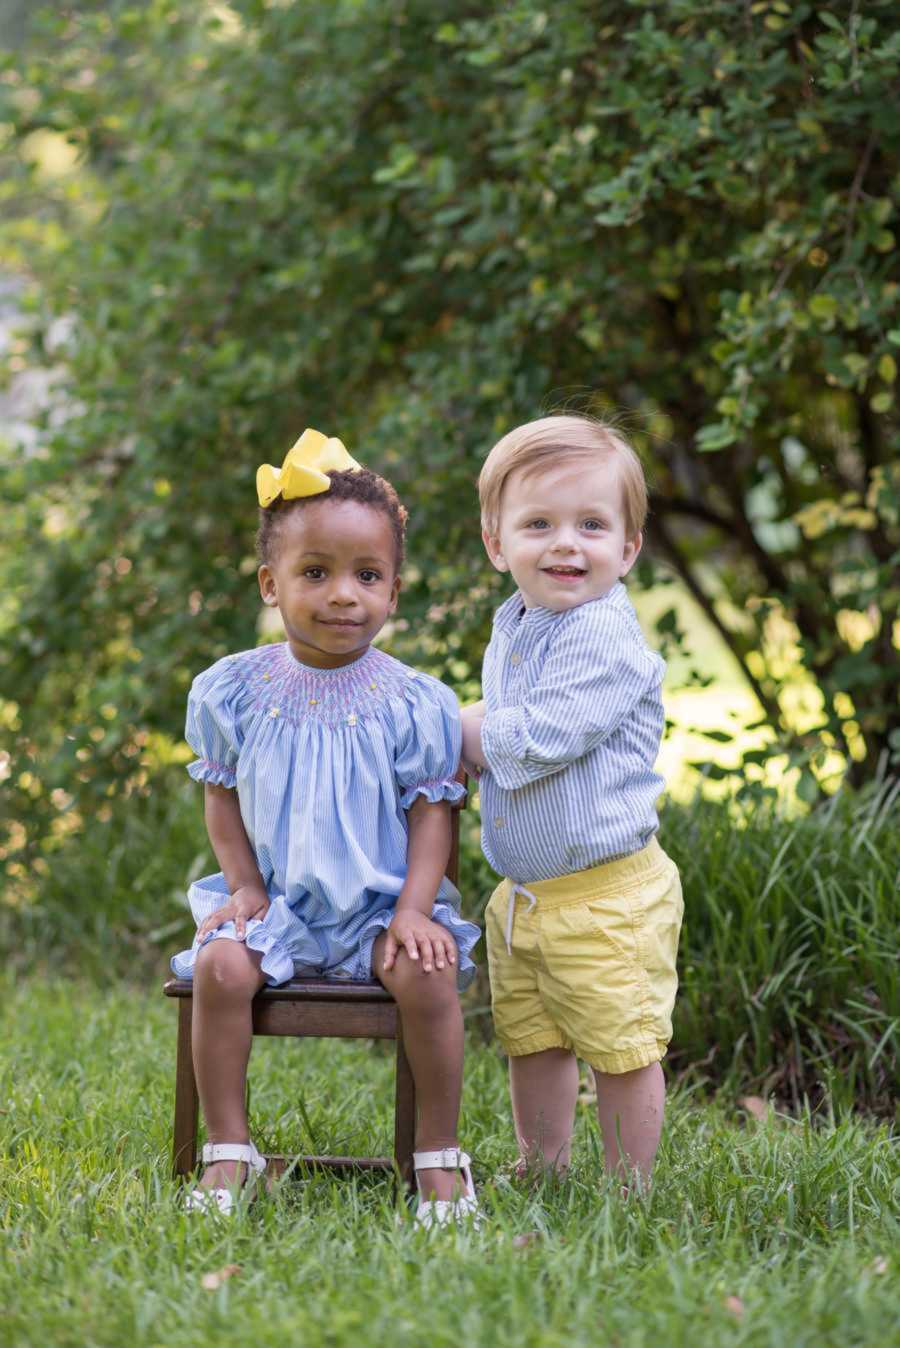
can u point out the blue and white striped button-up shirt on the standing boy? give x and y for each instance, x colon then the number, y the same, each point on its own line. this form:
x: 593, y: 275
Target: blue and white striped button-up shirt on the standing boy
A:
x: 572, y: 730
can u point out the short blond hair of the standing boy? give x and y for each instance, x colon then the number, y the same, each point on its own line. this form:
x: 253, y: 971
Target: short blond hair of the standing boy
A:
x: 548, y: 441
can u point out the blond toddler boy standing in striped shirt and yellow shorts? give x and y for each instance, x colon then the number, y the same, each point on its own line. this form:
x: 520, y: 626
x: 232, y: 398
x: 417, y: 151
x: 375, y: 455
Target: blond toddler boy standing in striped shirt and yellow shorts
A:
x: 583, y: 932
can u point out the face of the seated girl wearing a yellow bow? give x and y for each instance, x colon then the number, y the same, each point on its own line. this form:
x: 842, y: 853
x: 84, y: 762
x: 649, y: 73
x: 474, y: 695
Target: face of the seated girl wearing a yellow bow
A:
x: 333, y: 579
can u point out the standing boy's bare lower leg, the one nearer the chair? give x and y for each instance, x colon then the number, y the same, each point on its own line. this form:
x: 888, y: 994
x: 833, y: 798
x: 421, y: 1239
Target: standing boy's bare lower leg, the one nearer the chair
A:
x: 545, y: 1090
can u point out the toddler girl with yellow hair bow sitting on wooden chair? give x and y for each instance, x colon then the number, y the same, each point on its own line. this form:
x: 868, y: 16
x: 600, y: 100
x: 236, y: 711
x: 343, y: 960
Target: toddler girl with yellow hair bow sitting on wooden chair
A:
x: 329, y: 769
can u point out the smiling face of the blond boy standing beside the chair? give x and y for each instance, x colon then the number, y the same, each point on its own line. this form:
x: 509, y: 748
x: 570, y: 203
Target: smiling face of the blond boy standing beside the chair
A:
x: 562, y: 533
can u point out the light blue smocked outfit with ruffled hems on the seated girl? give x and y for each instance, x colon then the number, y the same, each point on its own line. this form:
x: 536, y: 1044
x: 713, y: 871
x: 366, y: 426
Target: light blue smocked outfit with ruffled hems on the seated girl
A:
x: 325, y: 765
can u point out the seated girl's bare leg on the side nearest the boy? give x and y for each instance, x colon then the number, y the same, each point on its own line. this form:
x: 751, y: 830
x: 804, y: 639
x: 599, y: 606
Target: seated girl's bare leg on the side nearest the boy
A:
x: 433, y: 1037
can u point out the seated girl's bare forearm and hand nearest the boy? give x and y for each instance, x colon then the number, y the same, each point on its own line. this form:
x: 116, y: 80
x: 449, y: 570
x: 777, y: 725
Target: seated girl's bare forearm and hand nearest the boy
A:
x: 428, y: 853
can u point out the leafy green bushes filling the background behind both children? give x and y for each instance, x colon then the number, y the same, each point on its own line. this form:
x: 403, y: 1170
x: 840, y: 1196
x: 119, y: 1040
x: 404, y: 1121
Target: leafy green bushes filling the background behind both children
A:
x: 416, y: 226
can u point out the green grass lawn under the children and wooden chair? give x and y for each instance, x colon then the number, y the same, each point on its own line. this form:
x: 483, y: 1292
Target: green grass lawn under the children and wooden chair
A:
x: 793, y: 1218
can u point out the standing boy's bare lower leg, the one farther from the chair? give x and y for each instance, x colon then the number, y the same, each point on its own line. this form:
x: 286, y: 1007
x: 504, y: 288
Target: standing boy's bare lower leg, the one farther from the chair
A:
x: 630, y: 1109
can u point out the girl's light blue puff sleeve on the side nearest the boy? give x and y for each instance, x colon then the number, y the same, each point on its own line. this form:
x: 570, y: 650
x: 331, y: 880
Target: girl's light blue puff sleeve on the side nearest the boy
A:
x: 429, y: 743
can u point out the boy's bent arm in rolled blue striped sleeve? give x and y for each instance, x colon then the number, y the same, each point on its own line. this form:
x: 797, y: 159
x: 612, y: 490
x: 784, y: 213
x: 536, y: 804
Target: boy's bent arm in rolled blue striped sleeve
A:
x: 589, y: 684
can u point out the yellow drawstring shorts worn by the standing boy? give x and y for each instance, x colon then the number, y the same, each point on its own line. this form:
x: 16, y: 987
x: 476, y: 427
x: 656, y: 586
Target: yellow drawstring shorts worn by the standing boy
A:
x: 592, y: 962
